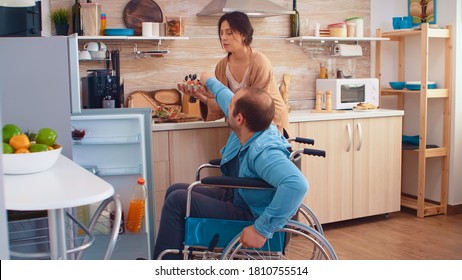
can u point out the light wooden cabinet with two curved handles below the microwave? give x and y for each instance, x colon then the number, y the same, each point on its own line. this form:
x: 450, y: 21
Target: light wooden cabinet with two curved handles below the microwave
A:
x: 361, y: 174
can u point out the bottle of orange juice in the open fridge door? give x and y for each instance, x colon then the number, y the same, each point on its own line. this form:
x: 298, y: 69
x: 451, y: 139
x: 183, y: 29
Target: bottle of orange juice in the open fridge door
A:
x: 137, y: 207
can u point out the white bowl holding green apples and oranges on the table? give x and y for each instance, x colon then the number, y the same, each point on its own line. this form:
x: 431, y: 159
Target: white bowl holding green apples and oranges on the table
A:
x: 30, y: 163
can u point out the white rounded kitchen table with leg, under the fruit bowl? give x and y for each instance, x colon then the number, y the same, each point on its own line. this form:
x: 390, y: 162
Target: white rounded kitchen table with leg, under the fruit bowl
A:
x: 65, y: 185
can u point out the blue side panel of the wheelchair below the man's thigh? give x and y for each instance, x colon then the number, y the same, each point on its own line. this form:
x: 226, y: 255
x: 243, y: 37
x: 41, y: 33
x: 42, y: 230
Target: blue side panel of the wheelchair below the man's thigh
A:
x: 201, y: 232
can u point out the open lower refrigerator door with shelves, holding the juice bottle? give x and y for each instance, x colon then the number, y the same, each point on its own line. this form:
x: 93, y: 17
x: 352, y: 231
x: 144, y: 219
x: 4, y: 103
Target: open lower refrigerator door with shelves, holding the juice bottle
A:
x: 117, y: 147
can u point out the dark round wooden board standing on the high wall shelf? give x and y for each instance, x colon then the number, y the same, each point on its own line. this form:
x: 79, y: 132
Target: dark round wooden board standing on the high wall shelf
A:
x: 138, y: 11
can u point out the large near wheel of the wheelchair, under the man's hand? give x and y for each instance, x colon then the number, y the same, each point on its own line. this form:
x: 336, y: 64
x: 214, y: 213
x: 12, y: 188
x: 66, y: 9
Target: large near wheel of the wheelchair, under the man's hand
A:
x: 300, y: 243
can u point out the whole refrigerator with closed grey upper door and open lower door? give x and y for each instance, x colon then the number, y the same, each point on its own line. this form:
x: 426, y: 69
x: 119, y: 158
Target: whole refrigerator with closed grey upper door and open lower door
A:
x: 40, y: 87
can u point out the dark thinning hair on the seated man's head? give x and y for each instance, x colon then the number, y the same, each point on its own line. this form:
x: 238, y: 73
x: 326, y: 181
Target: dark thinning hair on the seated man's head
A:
x: 257, y: 107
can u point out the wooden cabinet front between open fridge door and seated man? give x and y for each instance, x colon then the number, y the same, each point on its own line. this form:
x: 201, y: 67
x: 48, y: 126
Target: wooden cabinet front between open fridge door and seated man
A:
x: 178, y: 154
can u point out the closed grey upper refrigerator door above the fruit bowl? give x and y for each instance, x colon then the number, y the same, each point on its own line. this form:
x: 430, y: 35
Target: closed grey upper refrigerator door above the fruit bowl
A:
x: 37, y: 78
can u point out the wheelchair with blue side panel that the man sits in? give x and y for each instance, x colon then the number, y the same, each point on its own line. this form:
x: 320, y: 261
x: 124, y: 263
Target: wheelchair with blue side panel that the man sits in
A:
x: 302, y: 238
